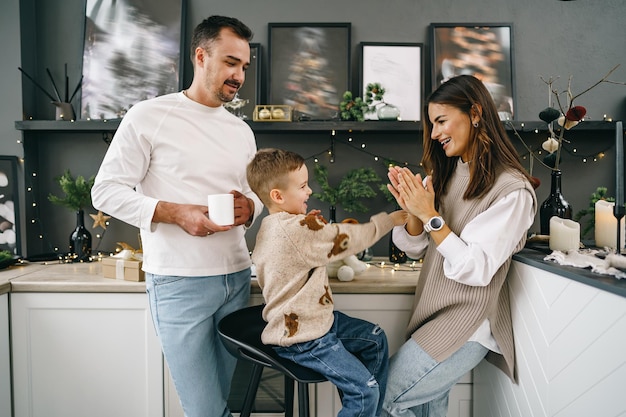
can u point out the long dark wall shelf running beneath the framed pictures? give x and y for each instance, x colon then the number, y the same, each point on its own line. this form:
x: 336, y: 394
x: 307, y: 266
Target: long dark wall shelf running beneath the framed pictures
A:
x: 308, y: 126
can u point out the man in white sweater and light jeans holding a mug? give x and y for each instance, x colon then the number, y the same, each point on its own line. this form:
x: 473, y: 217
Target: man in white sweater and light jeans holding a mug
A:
x: 168, y: 154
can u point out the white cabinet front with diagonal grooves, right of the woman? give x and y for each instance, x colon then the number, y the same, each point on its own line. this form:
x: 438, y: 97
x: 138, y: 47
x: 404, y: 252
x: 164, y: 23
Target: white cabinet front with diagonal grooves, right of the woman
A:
x: 570, y: 345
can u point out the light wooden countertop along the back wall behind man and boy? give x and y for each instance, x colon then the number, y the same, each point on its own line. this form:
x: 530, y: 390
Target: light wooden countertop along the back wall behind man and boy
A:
x: 379, y: 278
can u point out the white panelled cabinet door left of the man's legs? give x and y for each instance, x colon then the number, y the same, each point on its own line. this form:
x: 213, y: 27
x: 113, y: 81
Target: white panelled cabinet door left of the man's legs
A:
x: 85, y: 354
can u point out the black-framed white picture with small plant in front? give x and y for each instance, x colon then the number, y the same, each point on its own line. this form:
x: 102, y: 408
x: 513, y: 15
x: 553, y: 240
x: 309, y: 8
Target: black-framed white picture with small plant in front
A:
x: 397, y: 67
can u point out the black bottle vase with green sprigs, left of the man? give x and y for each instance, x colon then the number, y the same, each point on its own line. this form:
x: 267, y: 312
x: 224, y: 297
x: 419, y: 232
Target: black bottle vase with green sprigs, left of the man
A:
x: 77, y: 195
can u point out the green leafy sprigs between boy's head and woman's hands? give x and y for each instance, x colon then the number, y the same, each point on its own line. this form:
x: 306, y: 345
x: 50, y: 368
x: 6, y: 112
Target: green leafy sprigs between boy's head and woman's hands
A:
x: 354, y: 186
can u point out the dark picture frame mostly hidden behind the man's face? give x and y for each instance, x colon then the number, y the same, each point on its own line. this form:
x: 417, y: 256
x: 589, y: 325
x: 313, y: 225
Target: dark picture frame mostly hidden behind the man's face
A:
x: 250, y: 91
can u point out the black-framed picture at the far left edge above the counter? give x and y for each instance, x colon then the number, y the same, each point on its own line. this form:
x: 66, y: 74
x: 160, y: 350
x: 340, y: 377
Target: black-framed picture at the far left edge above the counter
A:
x: 10, y: 226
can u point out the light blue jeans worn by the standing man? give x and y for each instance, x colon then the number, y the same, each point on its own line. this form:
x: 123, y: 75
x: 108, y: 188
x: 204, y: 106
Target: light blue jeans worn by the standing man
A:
x: 185, y: 312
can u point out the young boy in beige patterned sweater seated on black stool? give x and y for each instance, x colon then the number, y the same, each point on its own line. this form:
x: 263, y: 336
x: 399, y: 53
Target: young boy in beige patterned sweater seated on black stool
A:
x: 291, y: 253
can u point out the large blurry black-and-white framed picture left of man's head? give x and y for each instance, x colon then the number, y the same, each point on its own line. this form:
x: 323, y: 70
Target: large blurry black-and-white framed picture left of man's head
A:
x: 130, y: 53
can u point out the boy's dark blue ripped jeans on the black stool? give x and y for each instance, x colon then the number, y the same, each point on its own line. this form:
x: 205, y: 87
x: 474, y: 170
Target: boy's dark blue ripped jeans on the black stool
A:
x: 353, y: 355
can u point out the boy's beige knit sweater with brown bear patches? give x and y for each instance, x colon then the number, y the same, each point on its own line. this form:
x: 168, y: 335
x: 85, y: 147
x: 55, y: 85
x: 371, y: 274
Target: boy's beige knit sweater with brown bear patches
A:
x: 290, y: 255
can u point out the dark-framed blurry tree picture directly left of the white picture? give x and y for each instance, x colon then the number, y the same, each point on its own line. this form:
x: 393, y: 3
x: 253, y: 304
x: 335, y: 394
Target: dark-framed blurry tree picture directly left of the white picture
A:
x: 309, y: 67
